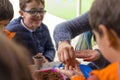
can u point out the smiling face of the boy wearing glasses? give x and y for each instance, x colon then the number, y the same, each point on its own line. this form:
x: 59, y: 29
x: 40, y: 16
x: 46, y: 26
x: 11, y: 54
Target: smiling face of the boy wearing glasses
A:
x: 33, y: 14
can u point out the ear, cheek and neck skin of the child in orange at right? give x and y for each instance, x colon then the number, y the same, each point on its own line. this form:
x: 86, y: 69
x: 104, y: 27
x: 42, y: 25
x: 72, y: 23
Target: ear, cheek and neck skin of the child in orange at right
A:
x: 108, y: 43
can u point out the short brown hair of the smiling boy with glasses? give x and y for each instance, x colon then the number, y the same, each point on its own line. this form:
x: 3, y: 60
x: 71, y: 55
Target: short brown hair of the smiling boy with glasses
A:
x: 22, y: 3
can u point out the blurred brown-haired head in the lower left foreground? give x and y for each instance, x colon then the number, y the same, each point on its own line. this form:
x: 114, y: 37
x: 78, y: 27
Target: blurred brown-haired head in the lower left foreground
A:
x: 13, y: 61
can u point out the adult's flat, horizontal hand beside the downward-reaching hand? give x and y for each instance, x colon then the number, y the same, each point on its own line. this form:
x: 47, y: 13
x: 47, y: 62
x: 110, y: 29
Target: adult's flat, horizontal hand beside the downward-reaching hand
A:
x: 88, y: 55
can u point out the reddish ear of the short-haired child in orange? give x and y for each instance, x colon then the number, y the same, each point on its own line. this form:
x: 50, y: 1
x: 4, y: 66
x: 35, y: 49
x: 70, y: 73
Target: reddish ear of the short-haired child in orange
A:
x: 109, y: 36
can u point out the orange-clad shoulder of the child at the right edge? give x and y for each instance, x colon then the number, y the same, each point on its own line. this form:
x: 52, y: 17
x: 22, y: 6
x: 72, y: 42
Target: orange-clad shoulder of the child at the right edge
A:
x: 111, y: 72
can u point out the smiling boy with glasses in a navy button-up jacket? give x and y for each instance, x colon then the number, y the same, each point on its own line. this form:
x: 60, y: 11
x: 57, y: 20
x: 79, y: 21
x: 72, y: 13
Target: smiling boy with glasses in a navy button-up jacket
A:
x: 30, y: 31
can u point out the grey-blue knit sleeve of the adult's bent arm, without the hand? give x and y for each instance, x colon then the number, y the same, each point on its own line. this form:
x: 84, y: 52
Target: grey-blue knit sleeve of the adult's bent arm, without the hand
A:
x: 70, y: 29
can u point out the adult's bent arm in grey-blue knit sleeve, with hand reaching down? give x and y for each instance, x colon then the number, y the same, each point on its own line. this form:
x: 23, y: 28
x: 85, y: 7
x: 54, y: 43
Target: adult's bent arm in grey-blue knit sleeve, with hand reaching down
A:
x: 64, y: 32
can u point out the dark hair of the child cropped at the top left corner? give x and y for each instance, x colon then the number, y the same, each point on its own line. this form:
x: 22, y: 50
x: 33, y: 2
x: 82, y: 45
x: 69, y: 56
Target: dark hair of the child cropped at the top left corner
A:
x: 6, y: 10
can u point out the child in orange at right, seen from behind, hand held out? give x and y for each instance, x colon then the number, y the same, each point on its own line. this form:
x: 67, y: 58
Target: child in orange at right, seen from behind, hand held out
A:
x: 104, y: 18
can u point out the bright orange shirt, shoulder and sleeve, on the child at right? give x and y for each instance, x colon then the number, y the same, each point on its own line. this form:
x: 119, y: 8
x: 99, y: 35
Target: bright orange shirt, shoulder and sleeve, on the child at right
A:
x: 111, y: 72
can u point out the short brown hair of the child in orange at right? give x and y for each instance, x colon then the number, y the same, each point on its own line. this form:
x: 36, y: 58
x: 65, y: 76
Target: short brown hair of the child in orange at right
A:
x: 105, y: 12
